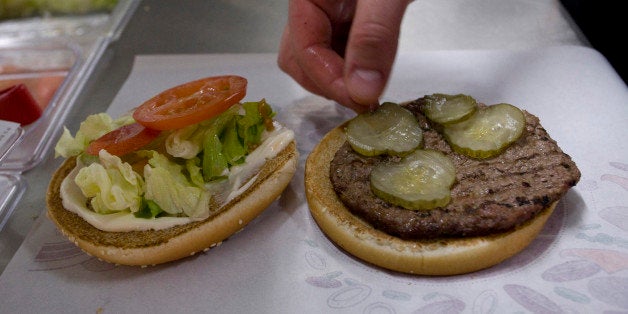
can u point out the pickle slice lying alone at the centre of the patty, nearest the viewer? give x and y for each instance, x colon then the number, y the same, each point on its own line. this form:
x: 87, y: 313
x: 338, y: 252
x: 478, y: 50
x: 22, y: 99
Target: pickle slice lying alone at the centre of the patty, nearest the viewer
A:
x: 420, y: 181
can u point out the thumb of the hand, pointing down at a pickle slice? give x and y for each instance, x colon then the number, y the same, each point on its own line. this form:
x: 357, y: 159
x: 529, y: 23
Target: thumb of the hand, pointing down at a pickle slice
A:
x: 372, y: 47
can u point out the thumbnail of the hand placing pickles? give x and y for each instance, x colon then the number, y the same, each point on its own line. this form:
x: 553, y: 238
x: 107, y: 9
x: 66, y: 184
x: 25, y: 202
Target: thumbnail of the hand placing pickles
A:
x: 365, y: 86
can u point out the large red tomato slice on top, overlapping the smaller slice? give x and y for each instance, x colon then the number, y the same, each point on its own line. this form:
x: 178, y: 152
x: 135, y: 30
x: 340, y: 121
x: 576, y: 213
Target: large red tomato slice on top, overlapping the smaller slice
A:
x: 191, y: 102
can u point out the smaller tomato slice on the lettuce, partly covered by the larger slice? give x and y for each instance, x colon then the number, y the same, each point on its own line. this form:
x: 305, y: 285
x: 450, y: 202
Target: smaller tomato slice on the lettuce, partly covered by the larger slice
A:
x: 123, y: 140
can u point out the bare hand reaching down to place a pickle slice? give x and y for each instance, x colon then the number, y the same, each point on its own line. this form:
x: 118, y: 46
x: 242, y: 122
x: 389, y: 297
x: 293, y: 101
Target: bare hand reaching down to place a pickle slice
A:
x: 342, y: 50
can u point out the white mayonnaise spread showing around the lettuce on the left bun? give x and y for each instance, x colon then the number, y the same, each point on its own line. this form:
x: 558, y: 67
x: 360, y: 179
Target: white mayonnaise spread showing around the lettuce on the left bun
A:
x: 240, y: 178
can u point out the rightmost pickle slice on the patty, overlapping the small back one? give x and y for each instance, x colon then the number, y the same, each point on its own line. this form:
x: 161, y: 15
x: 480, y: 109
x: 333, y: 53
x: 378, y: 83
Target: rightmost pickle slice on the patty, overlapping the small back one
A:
x: 488, y: 132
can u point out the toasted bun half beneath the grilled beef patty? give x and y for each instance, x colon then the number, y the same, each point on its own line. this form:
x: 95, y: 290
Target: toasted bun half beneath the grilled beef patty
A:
x: 449, y: 256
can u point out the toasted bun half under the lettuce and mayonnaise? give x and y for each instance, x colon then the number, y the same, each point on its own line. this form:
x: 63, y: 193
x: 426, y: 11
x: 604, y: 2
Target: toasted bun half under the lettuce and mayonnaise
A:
x: 160, y: 246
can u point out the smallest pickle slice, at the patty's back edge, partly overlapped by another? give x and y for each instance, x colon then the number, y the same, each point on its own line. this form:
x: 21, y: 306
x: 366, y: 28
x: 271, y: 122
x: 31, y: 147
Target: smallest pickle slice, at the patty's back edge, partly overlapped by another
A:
x: 446, y: 109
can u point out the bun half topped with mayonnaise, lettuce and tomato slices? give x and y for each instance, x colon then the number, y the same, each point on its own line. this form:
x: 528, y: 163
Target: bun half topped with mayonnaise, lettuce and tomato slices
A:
x: 178, y: 175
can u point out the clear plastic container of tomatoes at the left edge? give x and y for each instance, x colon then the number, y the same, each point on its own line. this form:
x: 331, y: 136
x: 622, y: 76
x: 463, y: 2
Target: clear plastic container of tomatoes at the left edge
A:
x: 48, y: 70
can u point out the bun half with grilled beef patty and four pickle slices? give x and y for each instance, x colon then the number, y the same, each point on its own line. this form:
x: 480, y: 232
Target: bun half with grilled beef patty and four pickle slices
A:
x: 441, y: 185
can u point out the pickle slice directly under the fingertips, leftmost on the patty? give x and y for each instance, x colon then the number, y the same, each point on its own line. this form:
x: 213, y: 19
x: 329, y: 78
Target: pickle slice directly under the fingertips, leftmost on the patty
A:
x: 391, y: 129
